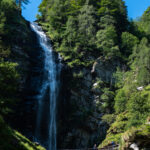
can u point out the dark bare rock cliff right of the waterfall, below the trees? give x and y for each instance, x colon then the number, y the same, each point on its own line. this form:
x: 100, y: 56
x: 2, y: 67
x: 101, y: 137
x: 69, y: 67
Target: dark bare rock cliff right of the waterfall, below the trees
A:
x: 79, y: 119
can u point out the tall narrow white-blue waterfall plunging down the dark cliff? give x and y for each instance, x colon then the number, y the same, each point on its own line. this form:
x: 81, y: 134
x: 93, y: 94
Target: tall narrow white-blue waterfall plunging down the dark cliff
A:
x: 45, y: 126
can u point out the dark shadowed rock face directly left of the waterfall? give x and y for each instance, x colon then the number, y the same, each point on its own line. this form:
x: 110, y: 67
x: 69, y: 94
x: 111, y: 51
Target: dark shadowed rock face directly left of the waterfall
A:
x: 29, y: 57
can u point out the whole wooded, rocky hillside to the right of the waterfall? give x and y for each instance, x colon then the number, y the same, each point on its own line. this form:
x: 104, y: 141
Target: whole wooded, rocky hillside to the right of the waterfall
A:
x: 107, y: 59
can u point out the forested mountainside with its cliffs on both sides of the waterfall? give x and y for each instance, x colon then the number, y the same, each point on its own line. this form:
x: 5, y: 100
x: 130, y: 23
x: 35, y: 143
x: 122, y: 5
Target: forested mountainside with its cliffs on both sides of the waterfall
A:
x: 106, y: 76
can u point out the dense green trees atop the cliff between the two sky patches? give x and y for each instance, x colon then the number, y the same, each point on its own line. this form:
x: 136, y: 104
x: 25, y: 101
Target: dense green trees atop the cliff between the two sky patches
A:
x: 81, y: 30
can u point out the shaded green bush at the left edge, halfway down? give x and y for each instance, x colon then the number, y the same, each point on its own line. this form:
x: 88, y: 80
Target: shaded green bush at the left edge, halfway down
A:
x: 9, y: 81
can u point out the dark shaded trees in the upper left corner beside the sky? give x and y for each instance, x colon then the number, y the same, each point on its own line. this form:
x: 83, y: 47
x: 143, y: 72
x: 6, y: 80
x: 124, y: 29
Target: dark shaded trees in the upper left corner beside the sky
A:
x: 11, y: 23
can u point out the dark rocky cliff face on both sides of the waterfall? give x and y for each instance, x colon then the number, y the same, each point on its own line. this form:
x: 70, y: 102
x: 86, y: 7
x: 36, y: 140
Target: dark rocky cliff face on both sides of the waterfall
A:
x: 79, y: 118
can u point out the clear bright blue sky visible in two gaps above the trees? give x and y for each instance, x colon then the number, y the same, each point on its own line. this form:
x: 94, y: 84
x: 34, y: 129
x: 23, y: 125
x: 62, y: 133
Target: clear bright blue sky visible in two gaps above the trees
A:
x: 135, y: 8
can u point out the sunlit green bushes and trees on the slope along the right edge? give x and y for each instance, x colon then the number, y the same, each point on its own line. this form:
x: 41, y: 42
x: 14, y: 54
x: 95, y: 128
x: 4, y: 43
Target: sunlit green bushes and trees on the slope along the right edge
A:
x: 133, y: 94
